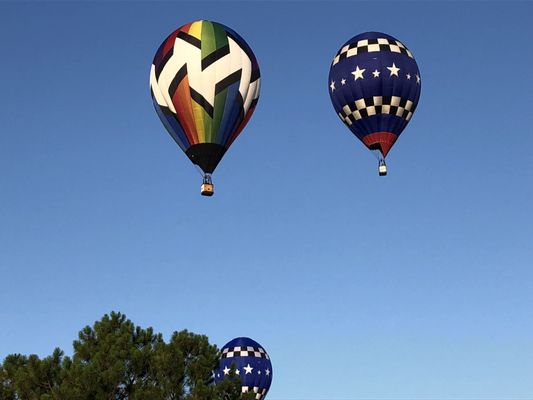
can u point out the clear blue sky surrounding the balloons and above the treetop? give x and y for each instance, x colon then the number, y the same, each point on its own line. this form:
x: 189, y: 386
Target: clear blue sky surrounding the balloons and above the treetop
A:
x: 414, y: 286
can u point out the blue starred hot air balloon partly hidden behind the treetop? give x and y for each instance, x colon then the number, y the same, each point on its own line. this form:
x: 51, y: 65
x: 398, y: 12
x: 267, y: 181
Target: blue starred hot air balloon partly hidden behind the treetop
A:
x: 252, y: 364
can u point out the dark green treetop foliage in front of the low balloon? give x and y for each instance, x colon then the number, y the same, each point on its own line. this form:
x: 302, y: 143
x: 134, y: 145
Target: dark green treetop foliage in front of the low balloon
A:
x: 116, y: 360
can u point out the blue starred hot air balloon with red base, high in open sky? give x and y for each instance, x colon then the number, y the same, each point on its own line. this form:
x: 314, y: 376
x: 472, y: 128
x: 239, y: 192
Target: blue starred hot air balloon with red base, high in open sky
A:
x: 374, y: 85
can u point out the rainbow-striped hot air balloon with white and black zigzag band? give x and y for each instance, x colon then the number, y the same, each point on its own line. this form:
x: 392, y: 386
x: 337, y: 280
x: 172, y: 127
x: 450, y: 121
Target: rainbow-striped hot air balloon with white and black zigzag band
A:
x: 205, y: 85
